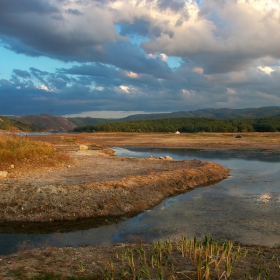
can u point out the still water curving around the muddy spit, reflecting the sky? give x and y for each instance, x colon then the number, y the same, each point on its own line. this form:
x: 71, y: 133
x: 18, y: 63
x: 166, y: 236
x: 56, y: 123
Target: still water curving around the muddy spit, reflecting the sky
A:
x: 244, y: 208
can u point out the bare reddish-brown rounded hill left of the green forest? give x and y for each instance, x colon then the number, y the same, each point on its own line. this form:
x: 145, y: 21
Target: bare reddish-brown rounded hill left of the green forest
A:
x: 50, y: 122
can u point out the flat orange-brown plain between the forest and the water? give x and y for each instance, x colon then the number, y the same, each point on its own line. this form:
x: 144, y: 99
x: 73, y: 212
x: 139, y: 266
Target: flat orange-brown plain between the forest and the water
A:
x: 218, y: 141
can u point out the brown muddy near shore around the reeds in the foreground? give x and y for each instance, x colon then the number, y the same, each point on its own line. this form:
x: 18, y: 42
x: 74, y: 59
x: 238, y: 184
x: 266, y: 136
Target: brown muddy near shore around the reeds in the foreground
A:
x: 91, y: 262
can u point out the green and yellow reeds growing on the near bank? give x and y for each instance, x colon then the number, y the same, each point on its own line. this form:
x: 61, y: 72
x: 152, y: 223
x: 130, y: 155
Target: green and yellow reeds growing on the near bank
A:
x: 207, y: 259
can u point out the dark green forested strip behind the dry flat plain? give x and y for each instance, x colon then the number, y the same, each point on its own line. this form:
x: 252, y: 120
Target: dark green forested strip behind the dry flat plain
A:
x: 271, y: 124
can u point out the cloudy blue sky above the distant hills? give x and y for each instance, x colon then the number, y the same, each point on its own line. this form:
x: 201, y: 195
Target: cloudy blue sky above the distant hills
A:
x: 112, y: 58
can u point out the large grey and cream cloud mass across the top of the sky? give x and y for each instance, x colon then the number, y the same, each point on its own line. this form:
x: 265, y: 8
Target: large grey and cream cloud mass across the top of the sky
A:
x: 219, y: 36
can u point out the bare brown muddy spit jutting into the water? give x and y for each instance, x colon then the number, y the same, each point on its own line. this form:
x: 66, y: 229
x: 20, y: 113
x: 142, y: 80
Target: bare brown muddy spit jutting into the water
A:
x: 100, y: 185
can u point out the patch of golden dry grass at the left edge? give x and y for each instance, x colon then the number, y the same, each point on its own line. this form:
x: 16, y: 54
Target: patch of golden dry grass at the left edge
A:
x: 19, y: 151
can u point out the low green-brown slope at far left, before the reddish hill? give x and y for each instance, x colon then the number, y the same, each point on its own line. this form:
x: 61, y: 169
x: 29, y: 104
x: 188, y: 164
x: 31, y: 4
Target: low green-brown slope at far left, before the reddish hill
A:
x: 6, y: 123
